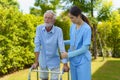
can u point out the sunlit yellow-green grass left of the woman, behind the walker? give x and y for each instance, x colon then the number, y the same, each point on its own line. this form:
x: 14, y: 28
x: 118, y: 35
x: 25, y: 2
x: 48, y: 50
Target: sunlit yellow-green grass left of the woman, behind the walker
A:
x: 23, y: 75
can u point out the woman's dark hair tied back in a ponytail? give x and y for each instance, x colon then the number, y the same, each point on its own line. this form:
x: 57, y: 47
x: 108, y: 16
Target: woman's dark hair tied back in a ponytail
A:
x: 75, y: 11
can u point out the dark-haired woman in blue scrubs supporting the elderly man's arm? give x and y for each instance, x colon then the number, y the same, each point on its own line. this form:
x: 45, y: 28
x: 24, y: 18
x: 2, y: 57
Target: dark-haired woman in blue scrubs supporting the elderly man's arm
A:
x: 80, y: 40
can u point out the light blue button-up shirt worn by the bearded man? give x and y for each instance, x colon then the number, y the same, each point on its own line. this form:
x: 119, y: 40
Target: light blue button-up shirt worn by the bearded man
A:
x: 47, y: 43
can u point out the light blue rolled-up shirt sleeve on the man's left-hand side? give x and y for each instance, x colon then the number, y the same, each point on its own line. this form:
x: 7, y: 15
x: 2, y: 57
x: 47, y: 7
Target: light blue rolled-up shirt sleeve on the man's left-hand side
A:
x: 37, y: 40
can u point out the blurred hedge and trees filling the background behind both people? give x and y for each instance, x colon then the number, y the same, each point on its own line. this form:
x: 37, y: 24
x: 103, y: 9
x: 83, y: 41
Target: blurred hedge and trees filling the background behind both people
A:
x: 17, y: 29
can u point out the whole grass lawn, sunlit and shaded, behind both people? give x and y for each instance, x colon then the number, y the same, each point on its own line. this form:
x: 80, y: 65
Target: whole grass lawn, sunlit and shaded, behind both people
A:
x: 109, y: 69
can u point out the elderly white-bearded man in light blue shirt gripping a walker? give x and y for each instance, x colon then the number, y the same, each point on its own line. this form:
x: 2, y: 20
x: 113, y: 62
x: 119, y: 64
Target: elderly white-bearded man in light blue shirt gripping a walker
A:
x: 47, y: 41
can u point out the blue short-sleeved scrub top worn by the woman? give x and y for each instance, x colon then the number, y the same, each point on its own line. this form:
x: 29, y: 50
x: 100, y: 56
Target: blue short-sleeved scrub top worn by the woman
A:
x: 78, y: 38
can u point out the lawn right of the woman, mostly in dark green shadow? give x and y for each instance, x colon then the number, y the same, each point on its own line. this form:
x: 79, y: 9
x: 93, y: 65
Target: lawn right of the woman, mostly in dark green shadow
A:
x: 108, y: 71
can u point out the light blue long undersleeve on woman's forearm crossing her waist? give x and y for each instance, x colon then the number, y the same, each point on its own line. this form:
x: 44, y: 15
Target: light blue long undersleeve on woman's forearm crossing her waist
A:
x: 77, y: 52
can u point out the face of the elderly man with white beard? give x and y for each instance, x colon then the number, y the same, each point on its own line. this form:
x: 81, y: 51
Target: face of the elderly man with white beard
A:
x: 48, y: 20
